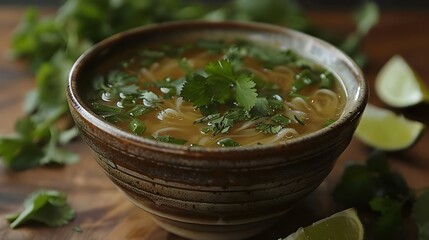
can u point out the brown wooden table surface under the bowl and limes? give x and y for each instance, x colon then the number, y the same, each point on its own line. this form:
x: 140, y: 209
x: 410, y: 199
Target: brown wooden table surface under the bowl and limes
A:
x: 104, y: 213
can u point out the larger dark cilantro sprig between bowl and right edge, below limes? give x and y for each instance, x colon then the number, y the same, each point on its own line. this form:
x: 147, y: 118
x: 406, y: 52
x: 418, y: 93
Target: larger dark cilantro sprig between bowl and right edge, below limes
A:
x: 376, y: 186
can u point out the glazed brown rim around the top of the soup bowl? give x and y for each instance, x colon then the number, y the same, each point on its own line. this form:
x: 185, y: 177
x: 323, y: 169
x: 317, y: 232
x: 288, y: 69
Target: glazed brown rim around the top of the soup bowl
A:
x: 81, y: 107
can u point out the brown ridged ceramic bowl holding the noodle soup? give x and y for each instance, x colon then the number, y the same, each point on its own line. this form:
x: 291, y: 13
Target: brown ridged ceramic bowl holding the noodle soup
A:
x: 216, y: 193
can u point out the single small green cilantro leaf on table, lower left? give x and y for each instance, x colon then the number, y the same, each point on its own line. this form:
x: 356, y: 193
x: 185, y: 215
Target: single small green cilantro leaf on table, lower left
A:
x: 49, y: 207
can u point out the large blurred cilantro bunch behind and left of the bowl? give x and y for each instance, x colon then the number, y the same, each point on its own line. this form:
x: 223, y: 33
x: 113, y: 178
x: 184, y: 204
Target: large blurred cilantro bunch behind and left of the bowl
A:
x: 52, y: 43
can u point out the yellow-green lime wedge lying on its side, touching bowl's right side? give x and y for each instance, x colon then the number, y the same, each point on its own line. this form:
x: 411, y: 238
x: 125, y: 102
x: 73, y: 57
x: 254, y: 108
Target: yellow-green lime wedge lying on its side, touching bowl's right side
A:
x: 384, y: 130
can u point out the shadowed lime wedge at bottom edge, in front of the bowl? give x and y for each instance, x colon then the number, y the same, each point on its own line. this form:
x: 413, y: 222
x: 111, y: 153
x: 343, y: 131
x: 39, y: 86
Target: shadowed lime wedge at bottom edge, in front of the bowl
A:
x: 344, y: 225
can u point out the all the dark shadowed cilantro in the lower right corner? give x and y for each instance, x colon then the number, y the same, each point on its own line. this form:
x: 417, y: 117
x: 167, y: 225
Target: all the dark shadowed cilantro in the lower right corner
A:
x: 375, y: 187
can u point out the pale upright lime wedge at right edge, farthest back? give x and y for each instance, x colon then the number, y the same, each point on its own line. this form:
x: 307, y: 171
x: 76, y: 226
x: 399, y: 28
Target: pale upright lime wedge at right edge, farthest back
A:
x: 398, y: 85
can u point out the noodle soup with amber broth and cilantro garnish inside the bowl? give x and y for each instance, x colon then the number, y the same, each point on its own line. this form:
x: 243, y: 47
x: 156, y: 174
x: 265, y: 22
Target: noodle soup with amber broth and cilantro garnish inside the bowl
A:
x: 216, y: 93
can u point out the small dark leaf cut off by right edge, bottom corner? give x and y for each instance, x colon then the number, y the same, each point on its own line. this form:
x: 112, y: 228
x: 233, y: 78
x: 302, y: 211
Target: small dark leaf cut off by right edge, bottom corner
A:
x: 421, y: 214
